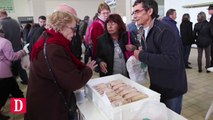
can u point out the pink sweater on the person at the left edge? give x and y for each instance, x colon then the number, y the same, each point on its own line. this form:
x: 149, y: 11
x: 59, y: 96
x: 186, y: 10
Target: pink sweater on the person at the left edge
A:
x: 6, y: 56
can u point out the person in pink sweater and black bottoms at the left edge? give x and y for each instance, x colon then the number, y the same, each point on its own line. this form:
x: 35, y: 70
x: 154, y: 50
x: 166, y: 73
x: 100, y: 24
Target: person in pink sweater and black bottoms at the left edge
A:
x: 8, y: 84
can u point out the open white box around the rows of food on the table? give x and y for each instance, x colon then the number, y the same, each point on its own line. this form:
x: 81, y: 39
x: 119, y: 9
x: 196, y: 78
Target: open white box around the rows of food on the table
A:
x: 123, y: 112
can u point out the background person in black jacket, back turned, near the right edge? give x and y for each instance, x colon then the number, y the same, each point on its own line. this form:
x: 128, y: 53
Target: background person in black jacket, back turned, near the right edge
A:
x: 202, y: 31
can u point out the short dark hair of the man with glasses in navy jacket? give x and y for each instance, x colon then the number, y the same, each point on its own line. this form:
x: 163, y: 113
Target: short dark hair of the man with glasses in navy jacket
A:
x: 147, y: 4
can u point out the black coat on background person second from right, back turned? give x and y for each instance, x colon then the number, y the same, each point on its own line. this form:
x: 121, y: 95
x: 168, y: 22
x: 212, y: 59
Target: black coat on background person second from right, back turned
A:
x: 186, y: 33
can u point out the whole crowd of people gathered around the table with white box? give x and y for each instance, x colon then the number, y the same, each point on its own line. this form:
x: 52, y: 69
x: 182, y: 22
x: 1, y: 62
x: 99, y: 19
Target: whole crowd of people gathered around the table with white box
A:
x: 158, y: 43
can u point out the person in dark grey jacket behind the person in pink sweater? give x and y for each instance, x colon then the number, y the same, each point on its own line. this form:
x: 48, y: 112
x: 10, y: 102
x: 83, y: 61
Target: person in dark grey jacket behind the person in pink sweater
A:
x: 12, y: 32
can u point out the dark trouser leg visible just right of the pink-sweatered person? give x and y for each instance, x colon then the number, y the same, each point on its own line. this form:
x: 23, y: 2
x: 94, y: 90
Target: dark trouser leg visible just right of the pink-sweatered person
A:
x: 18, y: 70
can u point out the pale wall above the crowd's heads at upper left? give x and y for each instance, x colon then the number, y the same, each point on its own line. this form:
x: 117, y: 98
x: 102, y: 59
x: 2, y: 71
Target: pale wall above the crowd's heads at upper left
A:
x: 46, y: 7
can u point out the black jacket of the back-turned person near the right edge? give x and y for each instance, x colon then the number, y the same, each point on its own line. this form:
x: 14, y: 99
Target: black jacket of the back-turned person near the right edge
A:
x: 203, y: 34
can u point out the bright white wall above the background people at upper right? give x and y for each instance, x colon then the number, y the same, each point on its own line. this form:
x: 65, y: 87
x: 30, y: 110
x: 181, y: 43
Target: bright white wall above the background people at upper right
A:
x: 180, y: 10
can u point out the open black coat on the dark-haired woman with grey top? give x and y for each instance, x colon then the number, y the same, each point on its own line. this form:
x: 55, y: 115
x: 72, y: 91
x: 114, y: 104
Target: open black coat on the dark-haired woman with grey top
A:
x: 105, y: 50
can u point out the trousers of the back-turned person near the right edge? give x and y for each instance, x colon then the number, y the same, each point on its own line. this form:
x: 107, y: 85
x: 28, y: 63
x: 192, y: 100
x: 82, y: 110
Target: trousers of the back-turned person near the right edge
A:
x: 200, y: 55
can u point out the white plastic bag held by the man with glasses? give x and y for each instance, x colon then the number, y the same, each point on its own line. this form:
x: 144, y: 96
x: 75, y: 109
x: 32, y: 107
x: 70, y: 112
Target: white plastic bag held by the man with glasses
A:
x: 136, y: 72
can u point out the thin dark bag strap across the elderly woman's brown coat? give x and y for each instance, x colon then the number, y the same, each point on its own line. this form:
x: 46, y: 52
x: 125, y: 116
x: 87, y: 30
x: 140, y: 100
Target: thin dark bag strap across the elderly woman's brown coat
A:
x: 66, y: 104
